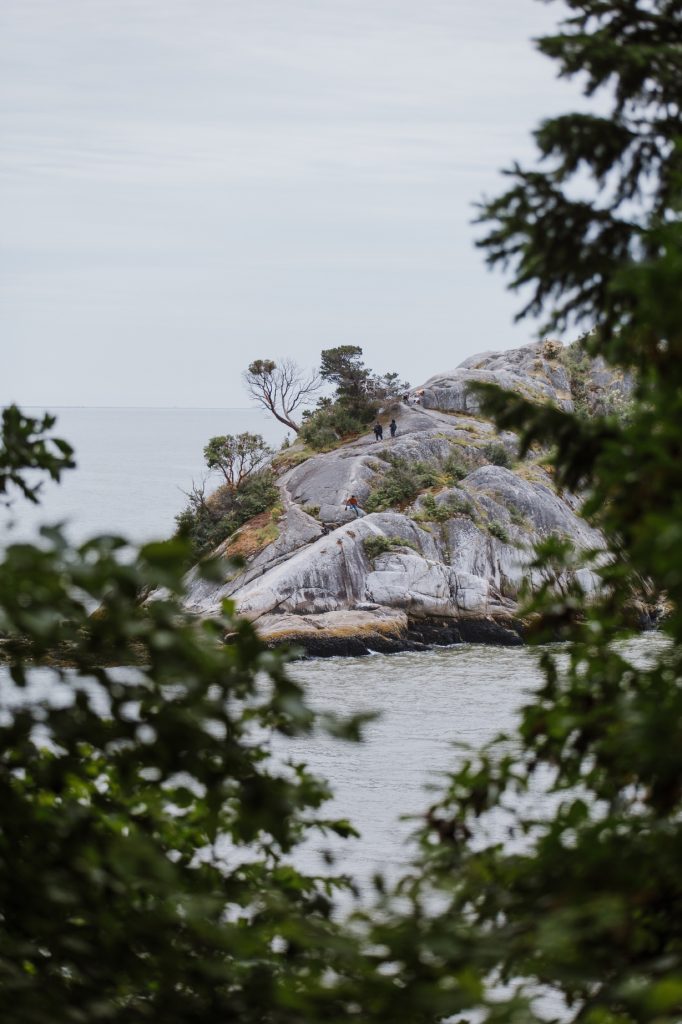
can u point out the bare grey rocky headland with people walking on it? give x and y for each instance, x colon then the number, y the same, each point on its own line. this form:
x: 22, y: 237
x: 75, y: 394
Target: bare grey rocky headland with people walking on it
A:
x: 448, y: 566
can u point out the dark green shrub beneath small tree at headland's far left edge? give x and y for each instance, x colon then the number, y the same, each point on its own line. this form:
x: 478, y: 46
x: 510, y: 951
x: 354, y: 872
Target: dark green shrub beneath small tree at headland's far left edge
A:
x: 208, y: 522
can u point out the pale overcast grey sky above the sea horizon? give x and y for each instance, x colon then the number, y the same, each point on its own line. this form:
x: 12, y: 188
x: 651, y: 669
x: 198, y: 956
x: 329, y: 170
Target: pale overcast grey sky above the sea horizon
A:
x: 188, y: 185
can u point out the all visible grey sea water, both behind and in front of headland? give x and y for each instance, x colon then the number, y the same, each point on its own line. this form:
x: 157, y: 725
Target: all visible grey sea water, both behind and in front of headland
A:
x: 133, y: 468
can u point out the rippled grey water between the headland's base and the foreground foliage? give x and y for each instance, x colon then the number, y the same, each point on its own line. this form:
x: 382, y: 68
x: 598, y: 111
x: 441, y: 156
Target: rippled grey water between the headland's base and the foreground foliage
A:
x: 432, y: 708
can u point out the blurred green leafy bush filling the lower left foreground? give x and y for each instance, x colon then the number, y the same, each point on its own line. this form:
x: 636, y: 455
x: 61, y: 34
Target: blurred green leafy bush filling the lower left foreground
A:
x: 146, y: 827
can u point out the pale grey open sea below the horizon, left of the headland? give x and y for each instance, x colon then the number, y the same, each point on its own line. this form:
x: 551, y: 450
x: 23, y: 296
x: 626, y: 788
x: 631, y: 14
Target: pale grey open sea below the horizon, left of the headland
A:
x: 133, y: 468
